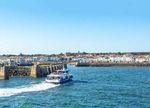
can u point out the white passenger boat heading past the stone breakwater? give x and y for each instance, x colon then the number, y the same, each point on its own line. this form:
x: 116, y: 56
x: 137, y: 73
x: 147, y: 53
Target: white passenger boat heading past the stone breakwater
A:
x: 59, y: 77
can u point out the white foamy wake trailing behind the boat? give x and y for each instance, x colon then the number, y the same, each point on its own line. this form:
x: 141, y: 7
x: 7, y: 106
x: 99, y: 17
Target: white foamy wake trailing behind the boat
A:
x: 6, y: 92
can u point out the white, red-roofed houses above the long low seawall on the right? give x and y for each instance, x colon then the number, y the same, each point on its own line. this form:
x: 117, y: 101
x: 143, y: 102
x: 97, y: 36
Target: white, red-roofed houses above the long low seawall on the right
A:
x: 114, y: 58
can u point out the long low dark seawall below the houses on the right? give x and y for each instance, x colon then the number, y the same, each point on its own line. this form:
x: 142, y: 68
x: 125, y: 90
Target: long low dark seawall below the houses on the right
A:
x: 112, y: 64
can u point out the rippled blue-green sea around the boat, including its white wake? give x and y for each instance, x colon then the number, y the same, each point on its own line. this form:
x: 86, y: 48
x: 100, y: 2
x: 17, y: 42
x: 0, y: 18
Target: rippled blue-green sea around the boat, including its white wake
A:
x: 93, y: 87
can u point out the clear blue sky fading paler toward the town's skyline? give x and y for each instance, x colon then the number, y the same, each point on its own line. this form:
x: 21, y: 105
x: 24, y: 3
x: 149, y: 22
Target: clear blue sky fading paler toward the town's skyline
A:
x: 55, y: 26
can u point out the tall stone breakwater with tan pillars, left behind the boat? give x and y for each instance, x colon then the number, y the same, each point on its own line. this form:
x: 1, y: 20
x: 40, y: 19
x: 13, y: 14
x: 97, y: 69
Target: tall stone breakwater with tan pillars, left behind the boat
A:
x: 36, y: 70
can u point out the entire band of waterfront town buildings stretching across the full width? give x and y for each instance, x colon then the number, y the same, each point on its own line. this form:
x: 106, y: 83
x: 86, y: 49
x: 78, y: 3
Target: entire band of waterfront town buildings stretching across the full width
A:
x: 85, y: 57
